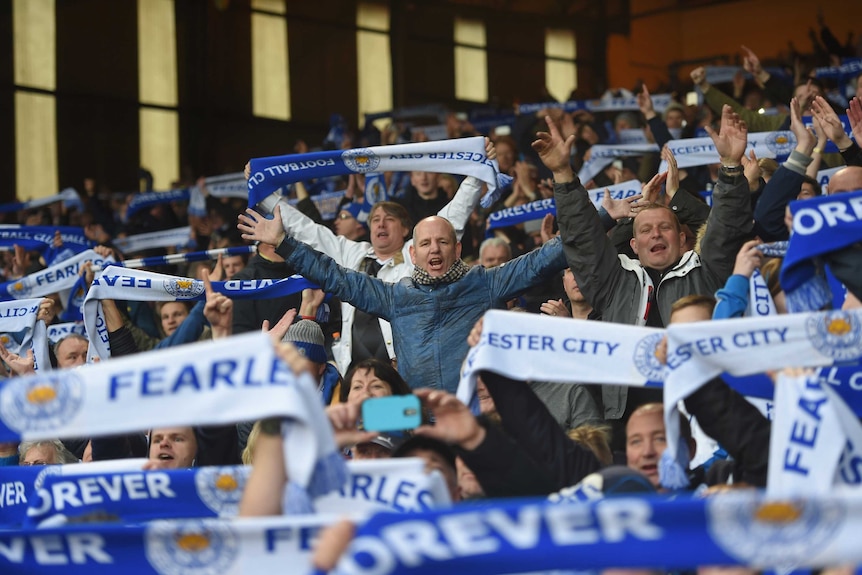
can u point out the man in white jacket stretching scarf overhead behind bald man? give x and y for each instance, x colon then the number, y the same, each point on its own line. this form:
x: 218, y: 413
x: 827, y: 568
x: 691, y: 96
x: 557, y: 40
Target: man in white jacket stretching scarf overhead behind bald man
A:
x: 386, y: 256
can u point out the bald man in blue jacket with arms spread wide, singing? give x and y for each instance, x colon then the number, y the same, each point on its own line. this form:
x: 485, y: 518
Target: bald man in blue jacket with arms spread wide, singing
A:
x: 432, y: 311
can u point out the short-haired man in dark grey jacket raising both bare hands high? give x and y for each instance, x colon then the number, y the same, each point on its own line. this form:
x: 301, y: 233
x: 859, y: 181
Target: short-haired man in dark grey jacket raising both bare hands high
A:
x: 640, y: 291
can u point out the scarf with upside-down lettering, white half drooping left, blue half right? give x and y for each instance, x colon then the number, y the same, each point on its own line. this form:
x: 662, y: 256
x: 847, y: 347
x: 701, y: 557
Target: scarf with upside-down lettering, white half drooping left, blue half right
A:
x: 139, y: 285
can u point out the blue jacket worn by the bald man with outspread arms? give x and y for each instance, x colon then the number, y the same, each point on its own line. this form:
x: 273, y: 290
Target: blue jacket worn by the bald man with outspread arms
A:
x: 430, y: 324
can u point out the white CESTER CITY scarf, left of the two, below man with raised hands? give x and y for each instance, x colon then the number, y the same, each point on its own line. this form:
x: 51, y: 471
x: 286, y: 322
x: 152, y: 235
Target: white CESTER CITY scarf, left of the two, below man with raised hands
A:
x: 532, y: 347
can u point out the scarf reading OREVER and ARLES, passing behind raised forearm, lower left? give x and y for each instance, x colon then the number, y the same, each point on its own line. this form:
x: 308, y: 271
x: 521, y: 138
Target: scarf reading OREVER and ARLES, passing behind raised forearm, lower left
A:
x: 131, y: 495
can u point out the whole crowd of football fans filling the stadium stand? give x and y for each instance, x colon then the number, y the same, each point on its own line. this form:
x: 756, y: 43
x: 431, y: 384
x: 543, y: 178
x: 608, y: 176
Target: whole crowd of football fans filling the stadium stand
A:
x: 400, y: 287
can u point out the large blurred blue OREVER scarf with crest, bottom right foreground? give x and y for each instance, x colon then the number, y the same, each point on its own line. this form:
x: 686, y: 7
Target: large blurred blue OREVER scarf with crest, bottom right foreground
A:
x: 737, y: 528
